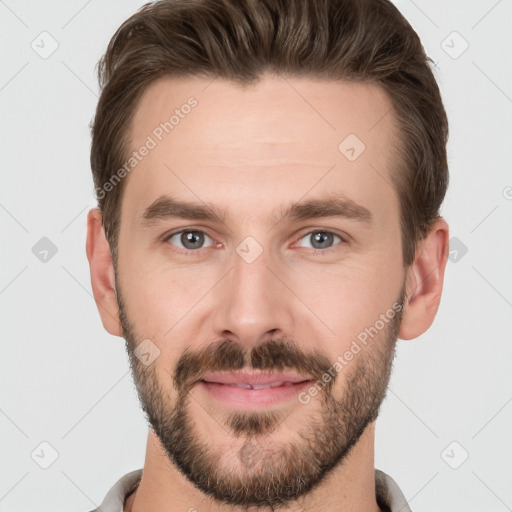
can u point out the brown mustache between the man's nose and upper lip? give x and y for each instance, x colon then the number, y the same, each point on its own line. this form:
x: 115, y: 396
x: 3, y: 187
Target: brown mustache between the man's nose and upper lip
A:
x: 272, y: 355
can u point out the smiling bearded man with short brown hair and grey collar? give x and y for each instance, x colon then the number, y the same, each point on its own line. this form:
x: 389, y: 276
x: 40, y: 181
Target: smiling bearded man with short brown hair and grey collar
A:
x: 269, y: 176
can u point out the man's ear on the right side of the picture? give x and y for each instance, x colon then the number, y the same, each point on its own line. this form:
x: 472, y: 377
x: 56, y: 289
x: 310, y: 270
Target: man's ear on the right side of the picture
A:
x: 424, y: 283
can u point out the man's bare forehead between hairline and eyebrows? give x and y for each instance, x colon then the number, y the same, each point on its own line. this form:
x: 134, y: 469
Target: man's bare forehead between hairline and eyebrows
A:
x: 214, y: 141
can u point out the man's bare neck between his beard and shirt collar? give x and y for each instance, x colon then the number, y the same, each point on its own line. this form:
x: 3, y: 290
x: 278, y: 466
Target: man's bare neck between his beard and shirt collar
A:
x: 349, y: 487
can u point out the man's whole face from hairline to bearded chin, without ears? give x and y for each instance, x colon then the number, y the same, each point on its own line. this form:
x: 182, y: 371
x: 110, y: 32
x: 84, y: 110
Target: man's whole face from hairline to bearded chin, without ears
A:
x: 260, y: 279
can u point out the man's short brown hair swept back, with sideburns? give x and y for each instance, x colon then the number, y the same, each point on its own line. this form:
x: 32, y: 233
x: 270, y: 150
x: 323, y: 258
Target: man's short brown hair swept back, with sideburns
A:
x: 351, y: 40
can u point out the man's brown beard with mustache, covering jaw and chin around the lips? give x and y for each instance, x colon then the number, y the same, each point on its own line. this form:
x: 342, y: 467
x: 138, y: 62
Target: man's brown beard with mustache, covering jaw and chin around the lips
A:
x: 257, y: 469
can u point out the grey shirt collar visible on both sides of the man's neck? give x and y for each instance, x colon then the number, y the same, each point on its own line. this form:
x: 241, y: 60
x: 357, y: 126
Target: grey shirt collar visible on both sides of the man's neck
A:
x: 388, y: 494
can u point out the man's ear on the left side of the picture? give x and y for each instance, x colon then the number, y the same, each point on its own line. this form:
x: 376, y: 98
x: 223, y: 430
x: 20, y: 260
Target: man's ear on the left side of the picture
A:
x: 102, y: 273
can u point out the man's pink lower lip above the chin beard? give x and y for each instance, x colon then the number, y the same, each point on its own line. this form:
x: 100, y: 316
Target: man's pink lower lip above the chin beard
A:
x: 245, y: 397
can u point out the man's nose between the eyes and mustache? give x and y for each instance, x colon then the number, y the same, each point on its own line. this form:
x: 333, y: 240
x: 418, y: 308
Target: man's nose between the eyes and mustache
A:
x: 253, y: 302
